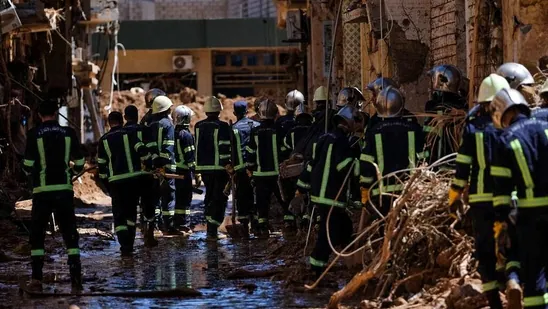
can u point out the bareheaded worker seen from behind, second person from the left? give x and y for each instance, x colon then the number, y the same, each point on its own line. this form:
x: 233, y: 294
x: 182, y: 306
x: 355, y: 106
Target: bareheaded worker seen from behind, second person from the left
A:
x: 119, y: 158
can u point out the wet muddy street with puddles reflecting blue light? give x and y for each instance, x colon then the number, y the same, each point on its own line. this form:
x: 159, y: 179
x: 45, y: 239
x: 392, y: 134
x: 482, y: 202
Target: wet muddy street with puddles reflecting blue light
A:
x: 177, y: 262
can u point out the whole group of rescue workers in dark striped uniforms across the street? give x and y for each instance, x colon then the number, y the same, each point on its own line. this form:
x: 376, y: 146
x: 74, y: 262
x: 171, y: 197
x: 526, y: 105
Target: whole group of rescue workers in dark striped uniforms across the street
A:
x: 317, y: 164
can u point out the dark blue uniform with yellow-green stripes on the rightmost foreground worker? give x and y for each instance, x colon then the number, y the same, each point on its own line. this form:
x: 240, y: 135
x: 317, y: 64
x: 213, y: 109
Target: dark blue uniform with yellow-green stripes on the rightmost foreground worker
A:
x: 520, y: 163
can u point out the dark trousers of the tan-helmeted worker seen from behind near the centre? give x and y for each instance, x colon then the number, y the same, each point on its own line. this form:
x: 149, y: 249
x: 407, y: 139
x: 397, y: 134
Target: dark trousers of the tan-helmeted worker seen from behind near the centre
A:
x: 215, y: 209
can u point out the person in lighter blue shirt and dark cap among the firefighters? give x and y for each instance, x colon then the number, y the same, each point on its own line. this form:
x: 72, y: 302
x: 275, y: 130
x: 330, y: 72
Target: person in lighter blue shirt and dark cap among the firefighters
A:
x: 244, y: 191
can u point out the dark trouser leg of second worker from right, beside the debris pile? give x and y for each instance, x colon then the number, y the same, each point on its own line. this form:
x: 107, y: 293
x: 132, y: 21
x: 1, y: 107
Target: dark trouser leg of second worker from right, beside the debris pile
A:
x: 483, y: 218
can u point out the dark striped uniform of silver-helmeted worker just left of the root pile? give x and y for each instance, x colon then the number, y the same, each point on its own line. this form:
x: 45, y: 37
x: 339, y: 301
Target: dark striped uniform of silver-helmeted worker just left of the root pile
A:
x: 393, y: 144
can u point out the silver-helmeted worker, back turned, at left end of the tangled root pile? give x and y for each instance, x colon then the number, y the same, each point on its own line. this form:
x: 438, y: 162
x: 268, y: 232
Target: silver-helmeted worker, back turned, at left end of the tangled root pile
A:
x: 389, y: 156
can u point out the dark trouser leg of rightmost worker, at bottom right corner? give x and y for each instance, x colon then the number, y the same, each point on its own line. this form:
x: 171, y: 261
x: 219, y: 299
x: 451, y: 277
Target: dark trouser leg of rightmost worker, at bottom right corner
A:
x: 532, y: 228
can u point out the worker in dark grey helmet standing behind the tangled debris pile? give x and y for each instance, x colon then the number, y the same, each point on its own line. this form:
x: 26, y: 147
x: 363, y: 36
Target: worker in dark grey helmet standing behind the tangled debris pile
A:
x: 446, y: 82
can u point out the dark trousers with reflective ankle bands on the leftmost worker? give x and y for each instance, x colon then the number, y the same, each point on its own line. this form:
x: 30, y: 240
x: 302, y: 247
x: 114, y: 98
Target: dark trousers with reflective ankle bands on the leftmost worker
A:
x: 60, y: 203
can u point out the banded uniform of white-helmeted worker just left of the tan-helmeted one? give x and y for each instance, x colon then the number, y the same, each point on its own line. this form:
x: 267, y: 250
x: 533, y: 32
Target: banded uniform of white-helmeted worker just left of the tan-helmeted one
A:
x: 186, y: 164
